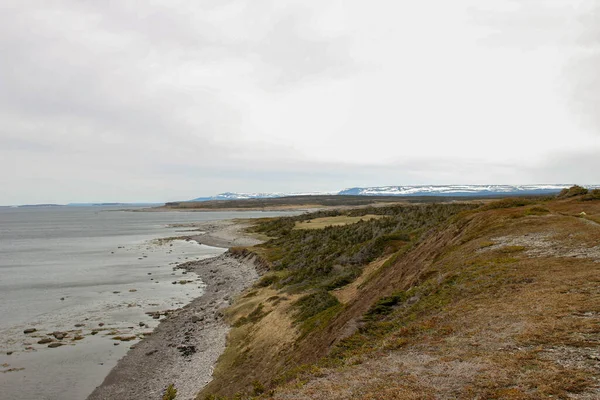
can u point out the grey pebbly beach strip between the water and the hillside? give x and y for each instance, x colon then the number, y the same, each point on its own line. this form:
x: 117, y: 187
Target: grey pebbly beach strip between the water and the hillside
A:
x: 185, y: 346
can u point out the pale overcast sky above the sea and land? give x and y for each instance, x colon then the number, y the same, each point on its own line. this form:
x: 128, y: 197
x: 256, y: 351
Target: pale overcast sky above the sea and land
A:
x: 172, y: 100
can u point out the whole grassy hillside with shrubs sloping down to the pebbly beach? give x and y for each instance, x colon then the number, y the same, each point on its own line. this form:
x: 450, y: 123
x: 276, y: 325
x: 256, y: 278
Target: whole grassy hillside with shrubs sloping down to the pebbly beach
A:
x: 434, y: 301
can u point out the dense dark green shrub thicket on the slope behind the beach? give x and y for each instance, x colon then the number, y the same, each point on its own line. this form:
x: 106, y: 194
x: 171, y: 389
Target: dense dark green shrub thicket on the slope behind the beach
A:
x: 334, y: 256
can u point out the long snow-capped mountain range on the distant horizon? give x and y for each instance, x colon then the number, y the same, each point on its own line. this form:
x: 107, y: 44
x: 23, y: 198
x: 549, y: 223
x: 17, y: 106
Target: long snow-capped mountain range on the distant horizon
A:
x: 414, y: 190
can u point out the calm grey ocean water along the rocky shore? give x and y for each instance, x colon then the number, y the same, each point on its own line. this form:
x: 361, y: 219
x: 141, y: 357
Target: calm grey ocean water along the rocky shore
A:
x: 80, y: 270
